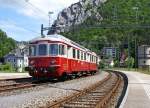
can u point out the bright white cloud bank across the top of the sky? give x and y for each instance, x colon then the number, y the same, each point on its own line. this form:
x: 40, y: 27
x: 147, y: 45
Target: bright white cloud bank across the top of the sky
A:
x: 37, y: 8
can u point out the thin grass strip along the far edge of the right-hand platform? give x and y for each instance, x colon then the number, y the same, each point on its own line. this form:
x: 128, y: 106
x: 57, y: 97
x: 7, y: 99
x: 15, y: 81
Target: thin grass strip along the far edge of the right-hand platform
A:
x: 144, y: 71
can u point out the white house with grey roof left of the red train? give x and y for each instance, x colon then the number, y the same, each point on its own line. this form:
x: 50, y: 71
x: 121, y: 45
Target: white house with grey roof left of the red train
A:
x: 18, y: 58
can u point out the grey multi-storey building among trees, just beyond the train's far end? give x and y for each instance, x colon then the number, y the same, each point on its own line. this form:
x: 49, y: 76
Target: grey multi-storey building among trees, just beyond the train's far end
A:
x: 109, y: 52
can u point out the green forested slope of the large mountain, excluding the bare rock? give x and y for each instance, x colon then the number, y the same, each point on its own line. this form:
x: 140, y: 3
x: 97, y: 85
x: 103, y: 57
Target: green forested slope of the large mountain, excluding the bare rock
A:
x: 130, y: 14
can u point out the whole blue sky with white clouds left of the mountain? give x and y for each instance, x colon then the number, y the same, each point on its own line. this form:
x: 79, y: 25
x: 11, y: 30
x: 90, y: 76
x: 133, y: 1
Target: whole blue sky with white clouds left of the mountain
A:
x: 22, y: 19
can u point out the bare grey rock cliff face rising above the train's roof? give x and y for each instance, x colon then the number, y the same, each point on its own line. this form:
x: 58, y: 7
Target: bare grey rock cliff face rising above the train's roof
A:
x: 76, y: 14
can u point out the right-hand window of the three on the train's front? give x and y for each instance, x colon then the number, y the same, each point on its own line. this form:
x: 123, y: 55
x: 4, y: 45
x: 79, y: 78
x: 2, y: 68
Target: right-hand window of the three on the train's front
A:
x: 53, y: 49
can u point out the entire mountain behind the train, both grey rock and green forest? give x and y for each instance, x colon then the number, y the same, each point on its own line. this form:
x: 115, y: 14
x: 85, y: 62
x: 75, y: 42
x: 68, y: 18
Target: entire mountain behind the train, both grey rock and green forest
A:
x: 132, y: 15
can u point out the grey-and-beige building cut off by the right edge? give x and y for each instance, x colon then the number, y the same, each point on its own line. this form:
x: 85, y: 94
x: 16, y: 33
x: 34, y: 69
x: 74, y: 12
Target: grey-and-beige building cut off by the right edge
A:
x: 144, y: 56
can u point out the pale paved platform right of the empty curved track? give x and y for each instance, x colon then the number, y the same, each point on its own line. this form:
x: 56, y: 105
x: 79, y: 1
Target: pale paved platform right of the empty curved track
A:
x: 138, y: 94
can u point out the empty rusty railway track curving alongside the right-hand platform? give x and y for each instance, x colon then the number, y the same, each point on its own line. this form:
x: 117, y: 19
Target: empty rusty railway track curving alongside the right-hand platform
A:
x: 100, y: 95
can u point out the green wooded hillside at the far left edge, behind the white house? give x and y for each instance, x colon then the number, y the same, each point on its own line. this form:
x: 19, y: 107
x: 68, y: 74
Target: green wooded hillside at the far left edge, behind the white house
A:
x: 6, y: 44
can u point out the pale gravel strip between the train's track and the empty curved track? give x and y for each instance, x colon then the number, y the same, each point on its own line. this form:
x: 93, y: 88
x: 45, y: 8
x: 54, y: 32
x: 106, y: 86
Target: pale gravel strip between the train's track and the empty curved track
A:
x: 53, y: 92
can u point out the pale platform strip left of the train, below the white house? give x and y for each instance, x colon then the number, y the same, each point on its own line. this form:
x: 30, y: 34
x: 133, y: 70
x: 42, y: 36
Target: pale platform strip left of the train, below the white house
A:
x: 13, y: 75
